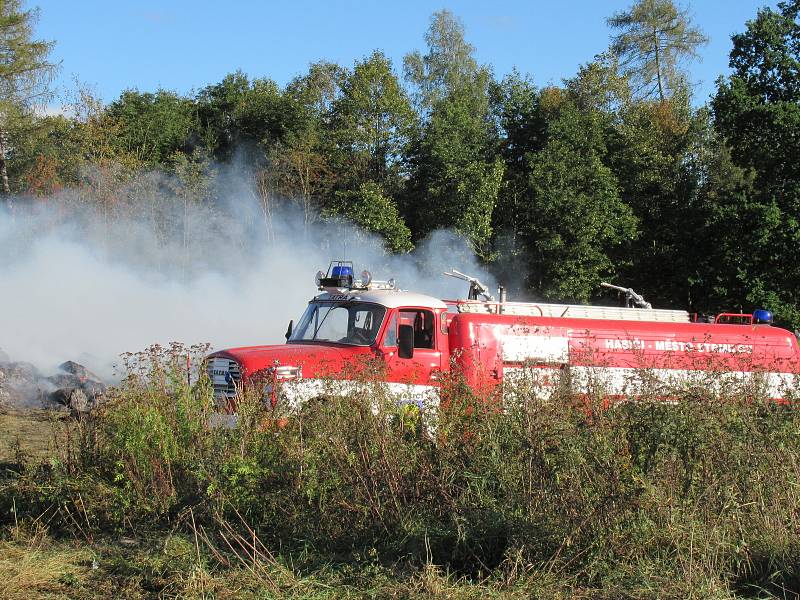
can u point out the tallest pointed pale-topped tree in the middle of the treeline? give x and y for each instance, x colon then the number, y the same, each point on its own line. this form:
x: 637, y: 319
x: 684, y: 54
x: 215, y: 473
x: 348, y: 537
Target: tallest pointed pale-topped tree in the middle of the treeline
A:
x: 456, y: 151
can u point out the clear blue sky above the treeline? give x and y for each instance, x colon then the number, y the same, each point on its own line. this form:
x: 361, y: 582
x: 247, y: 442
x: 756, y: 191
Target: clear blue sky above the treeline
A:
x: 184, y: 45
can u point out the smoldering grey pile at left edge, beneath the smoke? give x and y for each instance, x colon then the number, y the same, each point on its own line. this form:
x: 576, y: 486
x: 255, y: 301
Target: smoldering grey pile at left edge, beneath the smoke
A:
x: 73, y: 388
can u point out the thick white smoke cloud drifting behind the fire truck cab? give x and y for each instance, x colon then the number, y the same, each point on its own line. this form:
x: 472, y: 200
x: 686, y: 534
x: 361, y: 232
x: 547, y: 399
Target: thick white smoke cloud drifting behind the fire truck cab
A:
x: 85, y: 282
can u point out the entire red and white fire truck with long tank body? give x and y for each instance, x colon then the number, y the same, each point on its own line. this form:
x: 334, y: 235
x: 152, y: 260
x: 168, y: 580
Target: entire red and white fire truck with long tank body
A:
x: 419, y: 340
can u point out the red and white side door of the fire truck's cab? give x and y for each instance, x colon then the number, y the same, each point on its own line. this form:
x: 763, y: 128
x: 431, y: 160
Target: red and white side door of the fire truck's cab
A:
x: 424, y: 367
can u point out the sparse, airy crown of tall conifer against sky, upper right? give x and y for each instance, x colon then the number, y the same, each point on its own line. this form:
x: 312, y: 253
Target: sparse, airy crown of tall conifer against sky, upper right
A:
x: 655, y: 36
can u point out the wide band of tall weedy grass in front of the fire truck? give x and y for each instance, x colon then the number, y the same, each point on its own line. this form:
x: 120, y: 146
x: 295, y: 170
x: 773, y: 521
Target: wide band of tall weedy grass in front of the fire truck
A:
x: 553, y: 492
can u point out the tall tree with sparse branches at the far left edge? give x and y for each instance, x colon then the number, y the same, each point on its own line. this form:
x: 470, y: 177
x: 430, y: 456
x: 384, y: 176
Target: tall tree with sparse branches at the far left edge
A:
x: 25, y: 75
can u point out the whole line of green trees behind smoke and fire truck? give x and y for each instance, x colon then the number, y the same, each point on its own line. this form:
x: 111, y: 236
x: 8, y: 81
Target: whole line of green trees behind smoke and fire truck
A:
x: 613, y: 175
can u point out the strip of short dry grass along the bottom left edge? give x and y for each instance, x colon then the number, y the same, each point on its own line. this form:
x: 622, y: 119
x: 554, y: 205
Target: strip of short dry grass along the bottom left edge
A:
x: 43, y: 567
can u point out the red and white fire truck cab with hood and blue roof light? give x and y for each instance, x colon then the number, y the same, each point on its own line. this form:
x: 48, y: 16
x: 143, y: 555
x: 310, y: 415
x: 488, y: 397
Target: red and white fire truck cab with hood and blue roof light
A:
x: 351, y: 322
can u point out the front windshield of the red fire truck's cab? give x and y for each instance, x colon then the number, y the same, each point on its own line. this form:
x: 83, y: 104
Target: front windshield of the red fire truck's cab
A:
x: 354, y: 323
